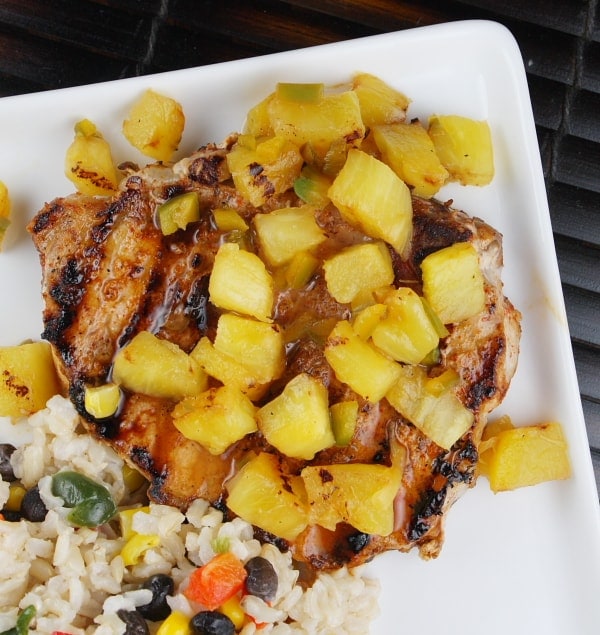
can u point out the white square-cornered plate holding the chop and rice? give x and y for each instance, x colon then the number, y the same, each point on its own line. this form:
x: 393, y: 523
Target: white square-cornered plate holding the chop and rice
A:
x: 522, y: 562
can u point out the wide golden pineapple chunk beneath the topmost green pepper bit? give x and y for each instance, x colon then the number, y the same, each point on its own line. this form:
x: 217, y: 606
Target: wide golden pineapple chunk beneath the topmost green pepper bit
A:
x: 318, y: 123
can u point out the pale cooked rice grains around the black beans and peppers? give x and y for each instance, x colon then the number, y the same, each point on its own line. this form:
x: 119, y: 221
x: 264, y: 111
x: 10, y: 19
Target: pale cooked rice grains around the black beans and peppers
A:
x: 77, y: 580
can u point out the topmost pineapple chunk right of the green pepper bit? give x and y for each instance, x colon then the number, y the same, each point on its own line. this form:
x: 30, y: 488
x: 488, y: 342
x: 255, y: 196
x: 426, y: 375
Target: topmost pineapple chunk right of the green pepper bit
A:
x: 379, y: 102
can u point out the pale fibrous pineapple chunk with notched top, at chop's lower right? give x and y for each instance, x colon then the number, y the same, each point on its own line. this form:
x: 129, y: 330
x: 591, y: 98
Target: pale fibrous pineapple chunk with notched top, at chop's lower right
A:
x: 442, y: 418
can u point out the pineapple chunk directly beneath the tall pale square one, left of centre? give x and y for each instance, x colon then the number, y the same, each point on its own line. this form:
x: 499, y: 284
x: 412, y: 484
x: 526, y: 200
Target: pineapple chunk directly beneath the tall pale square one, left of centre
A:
x: 258, y: 346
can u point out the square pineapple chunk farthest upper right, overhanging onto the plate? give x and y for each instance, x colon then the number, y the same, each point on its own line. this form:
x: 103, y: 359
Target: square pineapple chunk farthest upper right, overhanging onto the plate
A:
x: 464, y: 147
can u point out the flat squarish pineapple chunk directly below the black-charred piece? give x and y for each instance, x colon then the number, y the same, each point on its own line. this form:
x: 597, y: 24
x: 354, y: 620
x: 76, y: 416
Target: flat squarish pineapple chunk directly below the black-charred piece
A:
x: 285, y: 232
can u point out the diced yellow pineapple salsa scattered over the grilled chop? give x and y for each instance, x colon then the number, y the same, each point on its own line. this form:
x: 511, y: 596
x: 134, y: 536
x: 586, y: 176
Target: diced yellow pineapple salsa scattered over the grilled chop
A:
x: 348, y: 152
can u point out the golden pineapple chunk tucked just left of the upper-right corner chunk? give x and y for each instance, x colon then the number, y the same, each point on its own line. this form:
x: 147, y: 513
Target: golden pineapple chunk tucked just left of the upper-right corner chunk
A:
x: 409, y: 151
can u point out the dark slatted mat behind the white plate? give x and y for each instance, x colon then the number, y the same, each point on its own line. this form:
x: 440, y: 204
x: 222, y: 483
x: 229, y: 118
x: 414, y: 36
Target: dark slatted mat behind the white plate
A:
x: 46, y: 44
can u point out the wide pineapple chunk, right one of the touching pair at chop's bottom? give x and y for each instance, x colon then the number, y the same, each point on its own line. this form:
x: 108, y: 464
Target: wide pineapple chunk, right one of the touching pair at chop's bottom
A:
x: 355, y: 493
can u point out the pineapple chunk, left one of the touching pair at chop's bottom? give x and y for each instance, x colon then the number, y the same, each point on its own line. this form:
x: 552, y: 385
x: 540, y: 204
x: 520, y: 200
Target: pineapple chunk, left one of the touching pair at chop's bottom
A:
x: 260, y: 495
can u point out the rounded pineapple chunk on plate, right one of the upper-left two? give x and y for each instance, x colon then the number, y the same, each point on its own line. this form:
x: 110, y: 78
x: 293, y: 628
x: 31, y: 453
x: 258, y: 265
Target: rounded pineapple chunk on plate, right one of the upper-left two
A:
x: 155, y: 125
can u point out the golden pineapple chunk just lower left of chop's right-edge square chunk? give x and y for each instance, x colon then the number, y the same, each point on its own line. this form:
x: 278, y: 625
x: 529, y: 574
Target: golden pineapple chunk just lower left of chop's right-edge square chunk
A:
x: 406, y: 333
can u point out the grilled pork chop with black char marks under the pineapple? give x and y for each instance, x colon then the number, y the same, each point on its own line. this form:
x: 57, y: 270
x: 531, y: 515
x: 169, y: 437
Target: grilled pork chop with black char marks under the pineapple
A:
x: 109, y: 273
